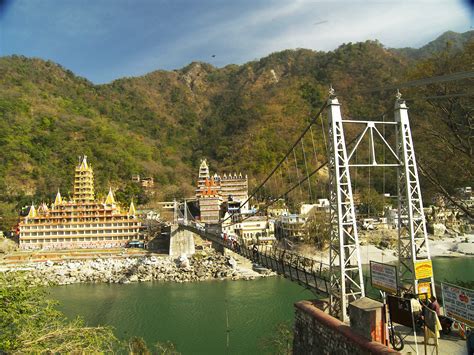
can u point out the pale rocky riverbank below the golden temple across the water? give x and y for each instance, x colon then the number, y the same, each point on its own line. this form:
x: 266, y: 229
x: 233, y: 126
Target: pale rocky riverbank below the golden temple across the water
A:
x: 138, y: 269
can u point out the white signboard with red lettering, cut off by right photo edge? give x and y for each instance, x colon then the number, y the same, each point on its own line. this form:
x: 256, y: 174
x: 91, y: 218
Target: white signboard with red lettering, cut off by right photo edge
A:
x: 458, y: 303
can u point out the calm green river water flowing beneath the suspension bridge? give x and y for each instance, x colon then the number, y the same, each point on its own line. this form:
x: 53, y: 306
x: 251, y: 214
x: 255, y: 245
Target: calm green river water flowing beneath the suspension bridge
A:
x: 193, y: 315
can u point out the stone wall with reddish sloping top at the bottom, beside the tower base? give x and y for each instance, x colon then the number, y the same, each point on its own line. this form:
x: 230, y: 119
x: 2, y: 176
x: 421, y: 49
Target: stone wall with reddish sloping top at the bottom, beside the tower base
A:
x: 318, y: 333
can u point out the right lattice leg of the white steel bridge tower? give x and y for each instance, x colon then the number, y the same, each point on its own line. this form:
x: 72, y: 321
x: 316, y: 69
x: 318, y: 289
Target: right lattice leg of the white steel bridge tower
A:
x: 412, y: 235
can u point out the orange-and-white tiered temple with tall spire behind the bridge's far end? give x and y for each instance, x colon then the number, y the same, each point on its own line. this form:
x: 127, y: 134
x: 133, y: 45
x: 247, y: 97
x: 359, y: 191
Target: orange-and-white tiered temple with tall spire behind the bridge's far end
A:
x: 213, y: 190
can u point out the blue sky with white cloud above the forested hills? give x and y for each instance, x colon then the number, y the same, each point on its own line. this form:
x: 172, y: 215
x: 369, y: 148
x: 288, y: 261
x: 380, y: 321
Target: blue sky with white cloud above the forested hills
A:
x: 103, y: 40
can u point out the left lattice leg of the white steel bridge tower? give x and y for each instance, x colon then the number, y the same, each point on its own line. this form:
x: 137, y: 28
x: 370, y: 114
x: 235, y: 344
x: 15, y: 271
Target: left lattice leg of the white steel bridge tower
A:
x: 346, y: 279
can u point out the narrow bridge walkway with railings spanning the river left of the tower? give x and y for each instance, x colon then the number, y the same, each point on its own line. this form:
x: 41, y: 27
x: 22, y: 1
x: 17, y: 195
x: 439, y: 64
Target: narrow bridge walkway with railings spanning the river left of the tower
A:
x: 309, y: 273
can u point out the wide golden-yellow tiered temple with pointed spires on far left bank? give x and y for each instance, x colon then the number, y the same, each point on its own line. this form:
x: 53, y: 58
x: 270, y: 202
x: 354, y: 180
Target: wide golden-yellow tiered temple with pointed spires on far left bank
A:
x: 83, y: 222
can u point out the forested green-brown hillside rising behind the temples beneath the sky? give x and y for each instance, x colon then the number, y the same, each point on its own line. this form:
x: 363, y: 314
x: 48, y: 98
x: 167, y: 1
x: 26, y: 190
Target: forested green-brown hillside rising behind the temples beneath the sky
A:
x: 240, y: 117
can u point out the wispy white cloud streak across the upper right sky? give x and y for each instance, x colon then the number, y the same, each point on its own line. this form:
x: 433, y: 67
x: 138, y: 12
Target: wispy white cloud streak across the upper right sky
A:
x: 283, y: 25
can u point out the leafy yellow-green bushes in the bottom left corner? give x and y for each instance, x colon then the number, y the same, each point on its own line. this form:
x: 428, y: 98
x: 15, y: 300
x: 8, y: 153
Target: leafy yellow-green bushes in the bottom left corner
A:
x: 29, y: 323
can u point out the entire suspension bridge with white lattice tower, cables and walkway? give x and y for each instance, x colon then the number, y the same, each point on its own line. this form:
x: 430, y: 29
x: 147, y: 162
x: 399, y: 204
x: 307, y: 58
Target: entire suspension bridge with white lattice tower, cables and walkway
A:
x: 349, y: 144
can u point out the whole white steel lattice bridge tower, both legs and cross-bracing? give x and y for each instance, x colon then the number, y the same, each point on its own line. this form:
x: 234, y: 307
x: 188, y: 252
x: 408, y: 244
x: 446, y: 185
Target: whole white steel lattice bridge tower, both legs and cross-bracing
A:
x: 346, y: 279
